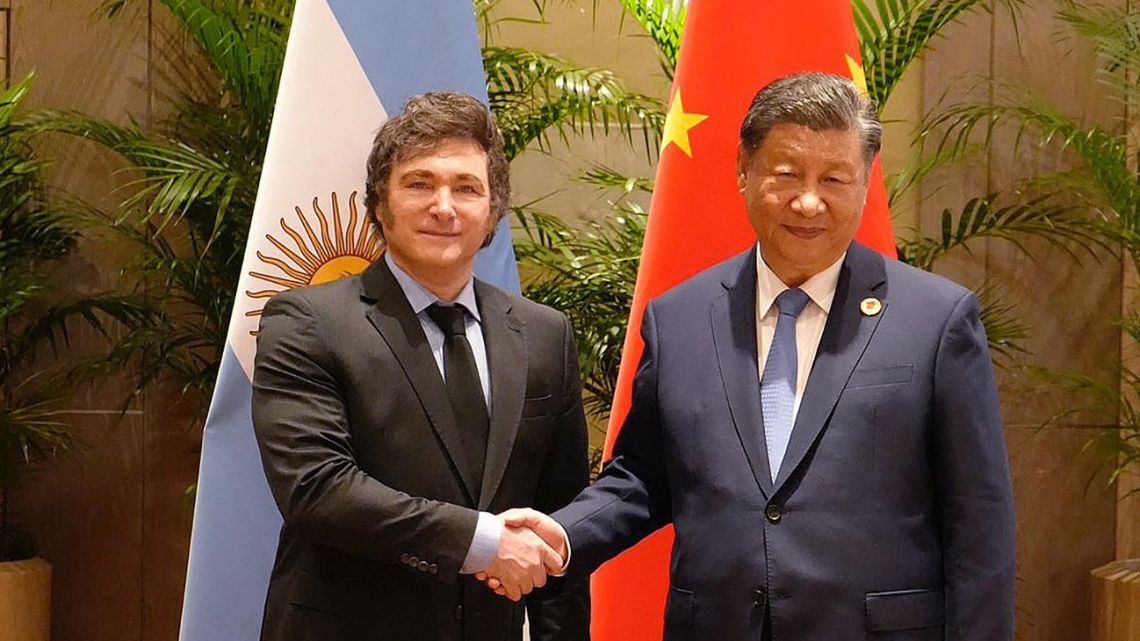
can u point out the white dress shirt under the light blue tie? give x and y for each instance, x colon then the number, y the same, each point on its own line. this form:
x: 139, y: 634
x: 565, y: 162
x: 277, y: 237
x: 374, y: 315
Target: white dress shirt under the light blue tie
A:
x: 821, y: 290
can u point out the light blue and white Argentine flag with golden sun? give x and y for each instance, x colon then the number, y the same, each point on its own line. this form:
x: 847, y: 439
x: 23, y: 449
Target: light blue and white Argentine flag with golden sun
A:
x: 349, y: 64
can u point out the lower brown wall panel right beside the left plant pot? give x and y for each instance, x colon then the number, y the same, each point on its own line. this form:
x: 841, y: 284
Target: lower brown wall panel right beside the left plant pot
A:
x: 86, y: 513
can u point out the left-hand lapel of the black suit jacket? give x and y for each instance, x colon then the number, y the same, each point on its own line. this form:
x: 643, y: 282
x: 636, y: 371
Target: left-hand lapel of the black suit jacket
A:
x: 400, y: 328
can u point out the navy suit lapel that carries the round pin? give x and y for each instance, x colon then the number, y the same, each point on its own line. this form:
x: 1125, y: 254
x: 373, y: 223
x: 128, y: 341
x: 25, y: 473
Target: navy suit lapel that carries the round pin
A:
x: 845, y: 339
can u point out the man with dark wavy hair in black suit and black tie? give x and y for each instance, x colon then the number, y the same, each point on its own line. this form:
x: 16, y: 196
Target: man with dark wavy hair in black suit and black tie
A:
x: 400, y: 410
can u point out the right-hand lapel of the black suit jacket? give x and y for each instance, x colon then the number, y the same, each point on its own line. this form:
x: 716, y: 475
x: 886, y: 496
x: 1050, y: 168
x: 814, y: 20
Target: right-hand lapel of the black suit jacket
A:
x: 507, y: 360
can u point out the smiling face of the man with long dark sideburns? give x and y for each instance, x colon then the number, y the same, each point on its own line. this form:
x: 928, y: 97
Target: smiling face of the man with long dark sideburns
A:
x: 438, y: 213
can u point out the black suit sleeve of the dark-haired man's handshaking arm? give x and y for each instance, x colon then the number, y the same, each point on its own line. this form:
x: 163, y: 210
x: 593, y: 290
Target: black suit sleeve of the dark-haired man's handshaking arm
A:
x: 306, y: 442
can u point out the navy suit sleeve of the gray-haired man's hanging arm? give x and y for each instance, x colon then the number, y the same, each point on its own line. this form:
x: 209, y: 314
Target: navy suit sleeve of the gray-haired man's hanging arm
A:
x: 973, y: 484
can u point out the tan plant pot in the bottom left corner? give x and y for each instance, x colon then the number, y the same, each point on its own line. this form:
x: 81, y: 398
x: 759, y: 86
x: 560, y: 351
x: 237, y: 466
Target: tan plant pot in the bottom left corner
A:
x: 26, y: 601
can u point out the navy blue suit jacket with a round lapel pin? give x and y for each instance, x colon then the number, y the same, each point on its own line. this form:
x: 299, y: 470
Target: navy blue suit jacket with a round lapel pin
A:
x: 892, y: 517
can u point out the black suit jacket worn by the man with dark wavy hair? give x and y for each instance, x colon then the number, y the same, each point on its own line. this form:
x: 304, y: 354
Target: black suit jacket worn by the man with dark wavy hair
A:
x: 364, y: 459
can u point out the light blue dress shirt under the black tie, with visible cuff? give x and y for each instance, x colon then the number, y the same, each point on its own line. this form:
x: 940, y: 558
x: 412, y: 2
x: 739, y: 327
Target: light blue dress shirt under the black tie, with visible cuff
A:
x: 488, y: 531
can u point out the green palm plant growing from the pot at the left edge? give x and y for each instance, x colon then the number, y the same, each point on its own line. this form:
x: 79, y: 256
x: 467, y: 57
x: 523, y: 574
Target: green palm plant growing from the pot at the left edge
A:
x: 34, y: 318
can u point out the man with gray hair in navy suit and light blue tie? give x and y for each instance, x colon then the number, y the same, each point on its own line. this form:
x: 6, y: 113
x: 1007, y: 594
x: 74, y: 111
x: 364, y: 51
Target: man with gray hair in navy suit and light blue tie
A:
x: 820, y: 424
